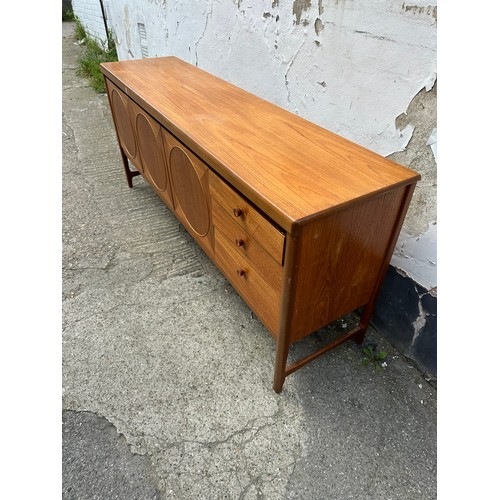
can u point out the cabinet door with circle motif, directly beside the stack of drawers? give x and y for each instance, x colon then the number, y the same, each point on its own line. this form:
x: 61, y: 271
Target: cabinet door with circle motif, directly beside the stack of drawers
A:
x: 190, y: 191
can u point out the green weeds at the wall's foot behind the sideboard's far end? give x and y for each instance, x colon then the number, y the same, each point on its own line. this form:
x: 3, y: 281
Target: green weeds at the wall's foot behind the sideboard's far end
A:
x: 94, y: 54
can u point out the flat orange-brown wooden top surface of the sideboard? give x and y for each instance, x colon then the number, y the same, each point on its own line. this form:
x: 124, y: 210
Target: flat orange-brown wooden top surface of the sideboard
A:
x: 289, y: 167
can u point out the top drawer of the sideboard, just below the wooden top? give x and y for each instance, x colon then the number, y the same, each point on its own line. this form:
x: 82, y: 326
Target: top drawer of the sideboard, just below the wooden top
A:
x: 243, y: 212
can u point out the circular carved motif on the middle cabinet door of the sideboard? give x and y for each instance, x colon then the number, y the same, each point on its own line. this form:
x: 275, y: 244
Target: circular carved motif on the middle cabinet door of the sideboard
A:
x: 151, y: 153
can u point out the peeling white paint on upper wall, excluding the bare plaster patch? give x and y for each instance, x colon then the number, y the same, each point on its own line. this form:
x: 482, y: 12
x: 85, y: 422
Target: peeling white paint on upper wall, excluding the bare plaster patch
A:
x: 373, y: 58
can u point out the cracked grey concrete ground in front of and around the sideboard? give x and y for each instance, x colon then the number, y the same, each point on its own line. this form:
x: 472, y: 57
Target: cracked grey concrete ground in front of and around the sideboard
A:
x: 167, y: 376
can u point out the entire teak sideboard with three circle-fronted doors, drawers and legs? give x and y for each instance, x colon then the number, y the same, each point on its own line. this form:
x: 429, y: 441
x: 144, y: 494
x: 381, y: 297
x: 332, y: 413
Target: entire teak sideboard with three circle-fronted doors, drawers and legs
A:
x: 302, y: 222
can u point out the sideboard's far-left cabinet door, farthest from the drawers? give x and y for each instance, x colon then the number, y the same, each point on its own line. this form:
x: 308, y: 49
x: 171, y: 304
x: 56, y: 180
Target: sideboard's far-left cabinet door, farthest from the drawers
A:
x: 121, y: 109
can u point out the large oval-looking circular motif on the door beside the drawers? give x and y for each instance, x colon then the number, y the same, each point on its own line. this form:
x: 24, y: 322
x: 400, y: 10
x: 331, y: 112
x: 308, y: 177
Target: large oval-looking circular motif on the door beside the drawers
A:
x: 189, y: 192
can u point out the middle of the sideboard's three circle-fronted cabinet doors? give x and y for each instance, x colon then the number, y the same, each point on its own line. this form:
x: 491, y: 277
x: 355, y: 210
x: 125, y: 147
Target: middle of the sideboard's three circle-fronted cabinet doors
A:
x: 150, y: 145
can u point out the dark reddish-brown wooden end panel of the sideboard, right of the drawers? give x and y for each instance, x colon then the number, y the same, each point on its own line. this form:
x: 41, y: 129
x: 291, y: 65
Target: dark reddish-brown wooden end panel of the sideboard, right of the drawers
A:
x: 340, y: 260
